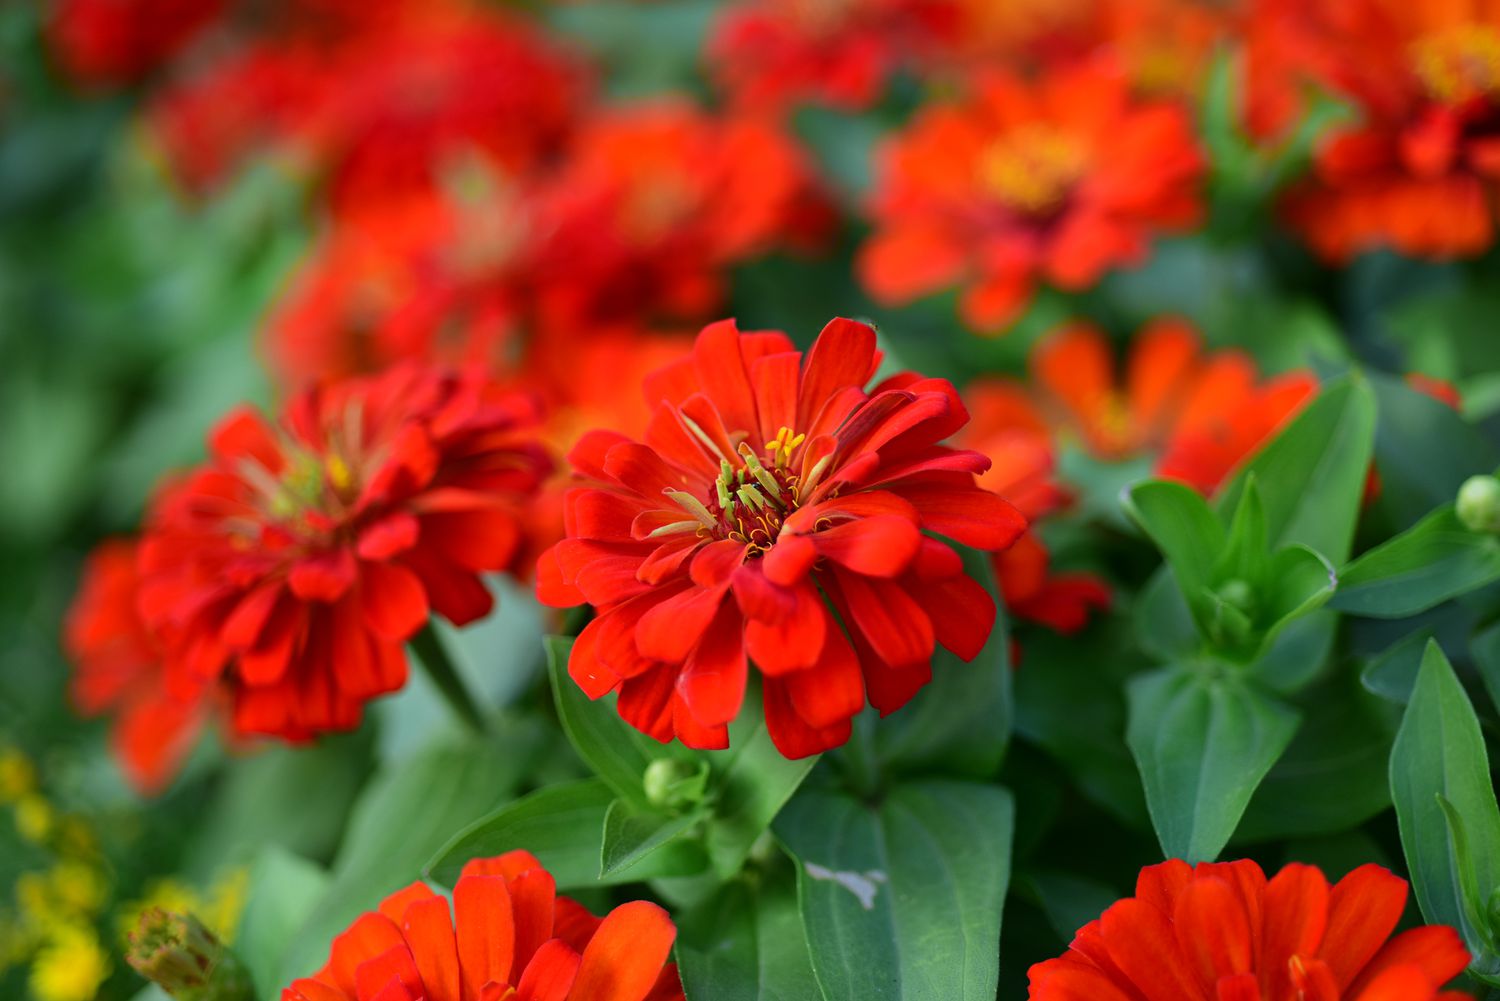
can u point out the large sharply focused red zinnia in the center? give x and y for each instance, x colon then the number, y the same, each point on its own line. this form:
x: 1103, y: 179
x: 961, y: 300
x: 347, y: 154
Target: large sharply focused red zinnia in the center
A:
x: 767, y: 481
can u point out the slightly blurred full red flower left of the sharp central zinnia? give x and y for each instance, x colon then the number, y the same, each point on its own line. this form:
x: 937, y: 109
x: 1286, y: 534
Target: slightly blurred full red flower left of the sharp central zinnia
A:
x: 296, y: 564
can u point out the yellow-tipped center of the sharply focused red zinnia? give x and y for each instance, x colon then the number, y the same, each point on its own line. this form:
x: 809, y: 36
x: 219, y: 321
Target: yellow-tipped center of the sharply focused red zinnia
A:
x: 751, y: 502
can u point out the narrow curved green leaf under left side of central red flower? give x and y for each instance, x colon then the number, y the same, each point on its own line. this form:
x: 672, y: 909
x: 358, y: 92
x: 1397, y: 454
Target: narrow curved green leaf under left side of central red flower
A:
x: 616, y: 751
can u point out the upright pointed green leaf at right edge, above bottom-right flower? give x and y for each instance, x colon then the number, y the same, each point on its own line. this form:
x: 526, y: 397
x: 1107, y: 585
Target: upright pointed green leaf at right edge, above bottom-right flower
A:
x: 1441, y: 753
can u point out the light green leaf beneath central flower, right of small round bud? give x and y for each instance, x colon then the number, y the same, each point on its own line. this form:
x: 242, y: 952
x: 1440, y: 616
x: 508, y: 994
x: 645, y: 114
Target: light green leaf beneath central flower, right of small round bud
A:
x: 752, y: 783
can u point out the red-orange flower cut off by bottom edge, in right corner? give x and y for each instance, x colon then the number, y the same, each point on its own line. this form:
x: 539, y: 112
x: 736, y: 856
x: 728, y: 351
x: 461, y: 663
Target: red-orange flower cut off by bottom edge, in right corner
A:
x: 1223, y: 933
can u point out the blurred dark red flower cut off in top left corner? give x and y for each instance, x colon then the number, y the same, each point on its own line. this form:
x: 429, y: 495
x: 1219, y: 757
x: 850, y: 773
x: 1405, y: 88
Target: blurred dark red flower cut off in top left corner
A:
x: 109, y: 44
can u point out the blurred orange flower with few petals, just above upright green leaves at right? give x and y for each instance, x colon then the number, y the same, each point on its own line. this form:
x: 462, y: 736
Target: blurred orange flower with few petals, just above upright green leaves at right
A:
x: 1202, y: 415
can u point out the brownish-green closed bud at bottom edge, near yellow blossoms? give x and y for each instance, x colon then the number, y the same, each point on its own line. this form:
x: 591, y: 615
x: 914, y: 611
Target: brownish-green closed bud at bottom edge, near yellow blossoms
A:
x: 185, y: 960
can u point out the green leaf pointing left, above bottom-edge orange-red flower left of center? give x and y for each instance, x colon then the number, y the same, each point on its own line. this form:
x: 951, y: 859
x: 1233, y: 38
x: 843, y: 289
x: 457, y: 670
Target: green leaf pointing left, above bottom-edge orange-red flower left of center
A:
x: 563, y: 826
